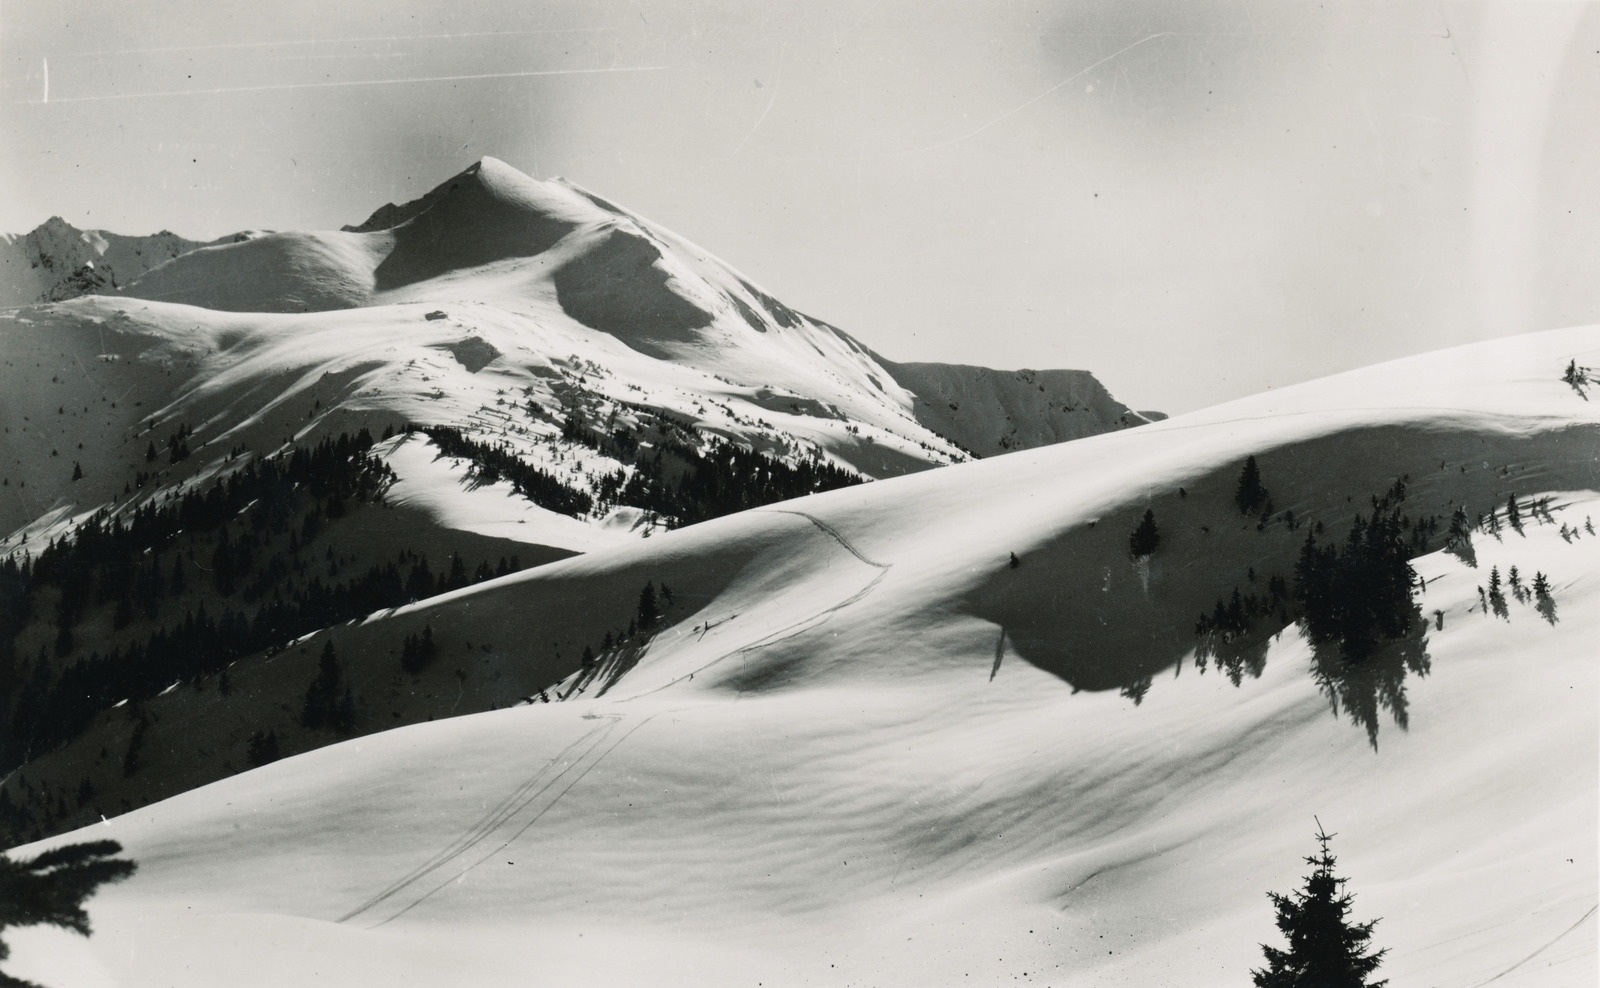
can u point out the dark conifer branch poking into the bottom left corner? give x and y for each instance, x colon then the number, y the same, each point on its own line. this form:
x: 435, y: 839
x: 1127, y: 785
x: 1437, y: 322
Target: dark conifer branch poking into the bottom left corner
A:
x: 50, y: 890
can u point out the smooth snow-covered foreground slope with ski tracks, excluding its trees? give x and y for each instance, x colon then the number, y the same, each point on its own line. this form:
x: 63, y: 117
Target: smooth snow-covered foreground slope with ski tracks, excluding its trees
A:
x: 871, y: 751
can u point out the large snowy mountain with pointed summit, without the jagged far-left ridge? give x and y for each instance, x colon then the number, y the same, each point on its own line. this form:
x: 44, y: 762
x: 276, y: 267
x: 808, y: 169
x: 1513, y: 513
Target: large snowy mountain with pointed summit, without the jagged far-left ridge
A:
x: 530, y: 316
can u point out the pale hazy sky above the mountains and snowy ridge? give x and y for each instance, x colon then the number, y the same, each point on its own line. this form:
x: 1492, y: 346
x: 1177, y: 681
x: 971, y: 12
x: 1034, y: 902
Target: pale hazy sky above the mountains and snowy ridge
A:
x: 1194, y: 201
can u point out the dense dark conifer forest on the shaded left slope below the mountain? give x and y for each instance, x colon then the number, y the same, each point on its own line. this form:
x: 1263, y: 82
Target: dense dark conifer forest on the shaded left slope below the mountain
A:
x: 118, y: 564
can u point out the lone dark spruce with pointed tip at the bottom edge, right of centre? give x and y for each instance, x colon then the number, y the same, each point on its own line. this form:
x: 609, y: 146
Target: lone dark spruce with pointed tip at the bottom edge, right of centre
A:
x: 1326, y: 949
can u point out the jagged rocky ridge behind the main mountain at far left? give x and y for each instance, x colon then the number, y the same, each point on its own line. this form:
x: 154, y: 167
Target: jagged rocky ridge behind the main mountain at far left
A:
x: 58, y: 261
